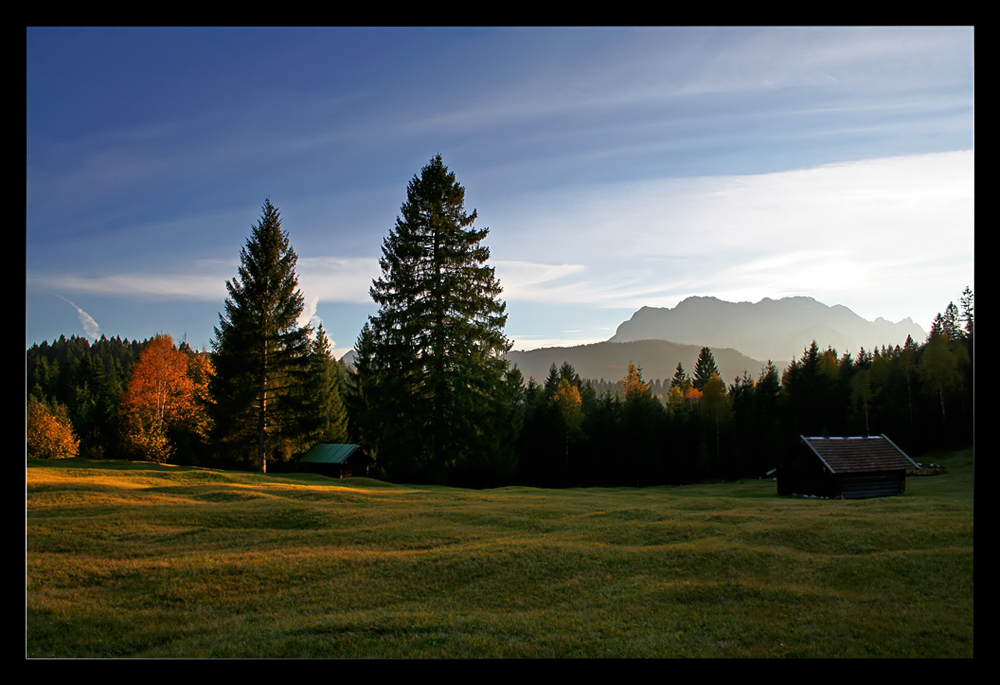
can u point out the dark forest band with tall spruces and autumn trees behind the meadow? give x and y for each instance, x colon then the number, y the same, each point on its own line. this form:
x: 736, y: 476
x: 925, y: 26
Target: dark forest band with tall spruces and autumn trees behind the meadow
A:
x: 432, y: 398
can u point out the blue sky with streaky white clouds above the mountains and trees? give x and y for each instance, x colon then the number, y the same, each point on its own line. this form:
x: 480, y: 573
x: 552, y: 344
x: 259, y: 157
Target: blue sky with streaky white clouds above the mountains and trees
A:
x: 616, y: 168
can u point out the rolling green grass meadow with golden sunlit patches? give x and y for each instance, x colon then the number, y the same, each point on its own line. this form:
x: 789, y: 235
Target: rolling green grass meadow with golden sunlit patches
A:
x: 141, y: 560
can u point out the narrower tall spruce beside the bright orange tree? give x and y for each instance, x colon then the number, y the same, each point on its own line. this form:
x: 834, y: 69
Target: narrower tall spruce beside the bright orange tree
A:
x: 261, y: 354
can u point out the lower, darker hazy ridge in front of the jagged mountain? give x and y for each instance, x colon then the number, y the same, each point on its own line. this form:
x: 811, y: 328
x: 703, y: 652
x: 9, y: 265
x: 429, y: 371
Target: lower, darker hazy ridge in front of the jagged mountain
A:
x: 609, y: 360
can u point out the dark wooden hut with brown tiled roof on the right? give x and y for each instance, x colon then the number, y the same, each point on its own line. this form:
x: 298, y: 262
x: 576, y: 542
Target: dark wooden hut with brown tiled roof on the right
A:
x: 849, y: 468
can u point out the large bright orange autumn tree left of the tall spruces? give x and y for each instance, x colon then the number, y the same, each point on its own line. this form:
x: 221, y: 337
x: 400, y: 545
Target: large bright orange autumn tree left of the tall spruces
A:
x: 165, y: 393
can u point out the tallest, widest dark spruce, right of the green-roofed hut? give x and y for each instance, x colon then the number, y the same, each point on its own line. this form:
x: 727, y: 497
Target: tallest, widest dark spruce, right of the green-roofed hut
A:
x: 430, y: 363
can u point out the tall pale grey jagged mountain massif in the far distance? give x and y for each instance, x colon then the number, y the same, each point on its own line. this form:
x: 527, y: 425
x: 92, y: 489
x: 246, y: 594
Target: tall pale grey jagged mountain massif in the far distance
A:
x: 769, y: 329
